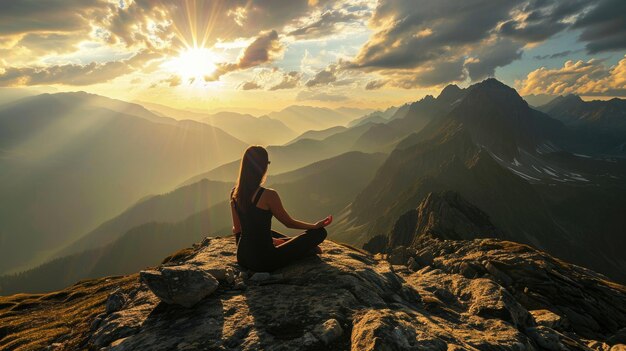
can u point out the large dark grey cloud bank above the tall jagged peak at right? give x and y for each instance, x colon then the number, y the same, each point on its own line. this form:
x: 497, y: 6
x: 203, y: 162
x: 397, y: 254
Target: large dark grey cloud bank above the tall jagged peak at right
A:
x: 425, y: 37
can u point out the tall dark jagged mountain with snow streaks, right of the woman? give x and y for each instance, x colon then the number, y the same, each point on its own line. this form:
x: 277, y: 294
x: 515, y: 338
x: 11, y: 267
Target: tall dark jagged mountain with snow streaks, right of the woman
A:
x: 506, y: 158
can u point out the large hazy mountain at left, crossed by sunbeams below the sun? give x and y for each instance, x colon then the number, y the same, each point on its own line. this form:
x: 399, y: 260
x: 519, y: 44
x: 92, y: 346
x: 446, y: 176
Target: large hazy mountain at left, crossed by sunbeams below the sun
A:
x: 67, y: 164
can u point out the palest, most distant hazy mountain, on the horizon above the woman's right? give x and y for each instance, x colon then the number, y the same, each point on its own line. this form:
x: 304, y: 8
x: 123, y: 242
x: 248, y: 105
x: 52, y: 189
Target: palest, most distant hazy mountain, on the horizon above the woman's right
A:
x: 304, y: 118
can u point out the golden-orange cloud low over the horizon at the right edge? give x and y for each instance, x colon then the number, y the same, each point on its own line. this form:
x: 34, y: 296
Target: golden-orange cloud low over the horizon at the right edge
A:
x: 591, y: 78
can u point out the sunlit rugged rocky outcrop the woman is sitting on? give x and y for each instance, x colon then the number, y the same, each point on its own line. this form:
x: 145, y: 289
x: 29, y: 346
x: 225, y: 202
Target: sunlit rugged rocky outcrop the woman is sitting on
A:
x: 472, y: 294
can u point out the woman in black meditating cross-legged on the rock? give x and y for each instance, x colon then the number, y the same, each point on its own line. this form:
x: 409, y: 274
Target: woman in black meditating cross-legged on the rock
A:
x: 252, y: 209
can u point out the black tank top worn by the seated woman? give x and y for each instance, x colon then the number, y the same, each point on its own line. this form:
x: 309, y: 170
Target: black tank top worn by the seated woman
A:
x: 256, y: 227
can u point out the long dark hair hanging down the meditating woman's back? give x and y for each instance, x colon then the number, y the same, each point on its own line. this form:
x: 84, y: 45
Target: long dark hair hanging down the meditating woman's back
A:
x: 251, y: 173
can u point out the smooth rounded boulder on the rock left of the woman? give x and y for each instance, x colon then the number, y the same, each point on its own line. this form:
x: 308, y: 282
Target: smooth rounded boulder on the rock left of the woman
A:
x: 183, y: 285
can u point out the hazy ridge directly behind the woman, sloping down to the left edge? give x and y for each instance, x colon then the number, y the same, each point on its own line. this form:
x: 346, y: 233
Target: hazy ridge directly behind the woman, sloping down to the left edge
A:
x: 144, y: 233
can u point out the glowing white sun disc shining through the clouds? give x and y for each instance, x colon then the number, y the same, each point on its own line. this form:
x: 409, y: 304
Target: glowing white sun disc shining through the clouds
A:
x: 193, y: 64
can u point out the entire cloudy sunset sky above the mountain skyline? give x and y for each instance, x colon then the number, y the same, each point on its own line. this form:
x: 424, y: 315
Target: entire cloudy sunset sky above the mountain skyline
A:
x: 264, y: 55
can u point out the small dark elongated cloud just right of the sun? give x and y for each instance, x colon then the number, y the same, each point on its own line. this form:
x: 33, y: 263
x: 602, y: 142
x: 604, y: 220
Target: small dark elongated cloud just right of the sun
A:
x: 265, y: 48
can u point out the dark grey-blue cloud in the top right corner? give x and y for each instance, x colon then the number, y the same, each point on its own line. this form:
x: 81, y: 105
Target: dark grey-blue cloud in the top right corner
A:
x: 604, y: 27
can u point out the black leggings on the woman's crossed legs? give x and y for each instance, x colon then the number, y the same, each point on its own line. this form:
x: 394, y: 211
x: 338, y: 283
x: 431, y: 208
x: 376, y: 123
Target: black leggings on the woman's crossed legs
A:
x: 295, y: 248
